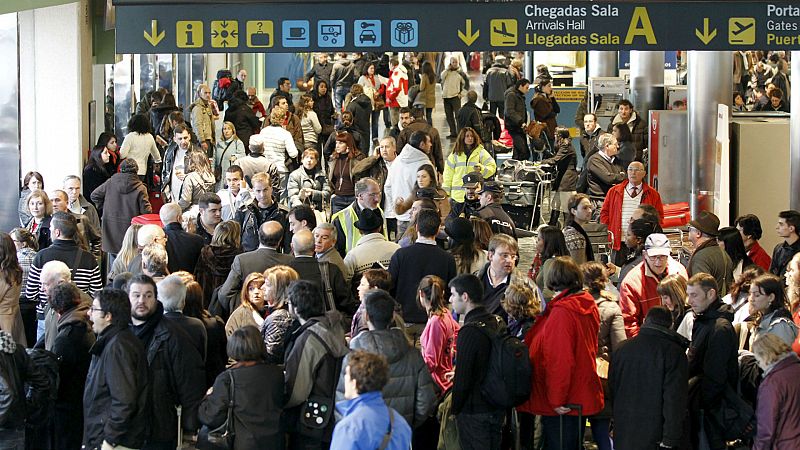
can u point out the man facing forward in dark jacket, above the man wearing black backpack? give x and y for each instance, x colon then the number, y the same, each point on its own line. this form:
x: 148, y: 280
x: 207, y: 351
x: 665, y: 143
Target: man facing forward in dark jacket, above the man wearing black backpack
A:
x: 499, y: 272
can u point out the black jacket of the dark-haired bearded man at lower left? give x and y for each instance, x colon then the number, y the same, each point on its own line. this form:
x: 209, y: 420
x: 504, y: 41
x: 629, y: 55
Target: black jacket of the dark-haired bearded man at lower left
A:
x: 176, y: 376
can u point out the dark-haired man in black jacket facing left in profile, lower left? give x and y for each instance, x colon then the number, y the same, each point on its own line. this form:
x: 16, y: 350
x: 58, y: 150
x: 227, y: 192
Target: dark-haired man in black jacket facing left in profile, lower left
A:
x: 115, y: 398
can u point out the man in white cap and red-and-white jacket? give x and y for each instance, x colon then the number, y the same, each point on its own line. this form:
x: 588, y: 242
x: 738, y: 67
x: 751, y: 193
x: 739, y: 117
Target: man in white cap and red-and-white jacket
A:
x: 638, y: 290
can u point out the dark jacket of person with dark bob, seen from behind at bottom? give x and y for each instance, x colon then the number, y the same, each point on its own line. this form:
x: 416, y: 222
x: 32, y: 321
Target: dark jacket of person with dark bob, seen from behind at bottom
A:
x: 258, y: 404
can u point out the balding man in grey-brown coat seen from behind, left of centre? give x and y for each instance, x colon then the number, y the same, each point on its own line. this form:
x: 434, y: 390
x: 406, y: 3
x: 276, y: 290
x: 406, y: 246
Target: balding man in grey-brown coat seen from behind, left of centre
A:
x: 270, y: 235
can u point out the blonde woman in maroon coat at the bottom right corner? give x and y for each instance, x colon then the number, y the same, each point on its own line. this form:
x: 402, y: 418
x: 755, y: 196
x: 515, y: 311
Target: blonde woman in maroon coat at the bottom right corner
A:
x: 777, y: 413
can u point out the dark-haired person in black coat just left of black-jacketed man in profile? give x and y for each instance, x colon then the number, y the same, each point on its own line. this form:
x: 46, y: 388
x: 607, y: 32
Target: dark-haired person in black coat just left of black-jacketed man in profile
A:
x: 72, y: 345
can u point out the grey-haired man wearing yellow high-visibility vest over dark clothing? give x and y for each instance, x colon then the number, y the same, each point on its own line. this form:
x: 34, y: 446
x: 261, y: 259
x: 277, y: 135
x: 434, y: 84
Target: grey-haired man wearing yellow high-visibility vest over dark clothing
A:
x: 368, y: 196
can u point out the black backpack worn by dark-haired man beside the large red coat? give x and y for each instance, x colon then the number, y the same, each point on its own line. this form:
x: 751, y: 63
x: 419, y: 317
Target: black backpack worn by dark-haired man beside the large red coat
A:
x: 508, y: 378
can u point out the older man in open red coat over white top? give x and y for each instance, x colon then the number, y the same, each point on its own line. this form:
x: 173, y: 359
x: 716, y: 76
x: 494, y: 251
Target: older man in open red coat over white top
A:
x: 622, y: 200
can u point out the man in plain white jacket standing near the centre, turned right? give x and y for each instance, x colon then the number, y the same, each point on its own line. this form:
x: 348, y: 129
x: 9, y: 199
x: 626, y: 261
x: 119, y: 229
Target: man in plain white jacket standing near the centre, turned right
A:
x: 401, y: 182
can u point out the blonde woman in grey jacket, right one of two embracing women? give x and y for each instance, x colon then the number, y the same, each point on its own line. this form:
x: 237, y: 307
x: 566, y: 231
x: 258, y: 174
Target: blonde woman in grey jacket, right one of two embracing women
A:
x: 273, y: 331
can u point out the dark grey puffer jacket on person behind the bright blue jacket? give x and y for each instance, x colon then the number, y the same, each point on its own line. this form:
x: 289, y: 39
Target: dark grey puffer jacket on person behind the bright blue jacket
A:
x: 410, y: 389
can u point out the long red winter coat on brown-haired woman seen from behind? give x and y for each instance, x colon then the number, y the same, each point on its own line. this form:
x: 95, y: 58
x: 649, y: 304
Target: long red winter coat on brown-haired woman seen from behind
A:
x: 562, y: 353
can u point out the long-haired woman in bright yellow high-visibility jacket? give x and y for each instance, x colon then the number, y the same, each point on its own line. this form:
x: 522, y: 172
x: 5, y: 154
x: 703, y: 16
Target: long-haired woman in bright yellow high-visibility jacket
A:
x: 468, y: 155
